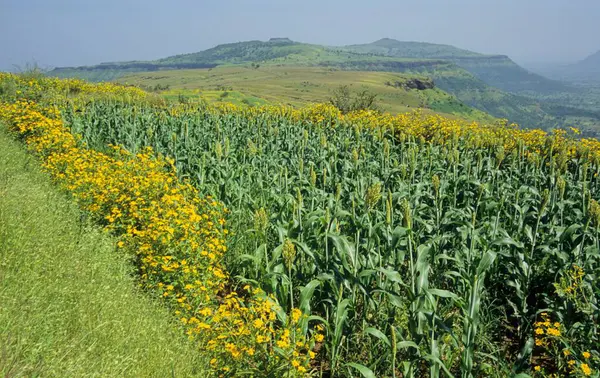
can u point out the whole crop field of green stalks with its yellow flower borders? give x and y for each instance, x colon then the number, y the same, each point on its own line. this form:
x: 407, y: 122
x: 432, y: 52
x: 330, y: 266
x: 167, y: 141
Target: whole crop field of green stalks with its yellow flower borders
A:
x: 304, y: 242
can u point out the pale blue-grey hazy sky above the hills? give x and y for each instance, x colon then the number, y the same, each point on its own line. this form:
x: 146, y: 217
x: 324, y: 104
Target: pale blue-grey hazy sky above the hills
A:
x: 81, y: 32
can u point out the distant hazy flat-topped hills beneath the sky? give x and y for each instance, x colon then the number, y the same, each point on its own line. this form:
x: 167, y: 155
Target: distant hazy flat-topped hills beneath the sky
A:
x: 492, y: 83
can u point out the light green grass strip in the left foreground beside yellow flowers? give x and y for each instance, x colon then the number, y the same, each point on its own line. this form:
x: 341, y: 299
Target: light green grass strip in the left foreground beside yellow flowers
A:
x: 68, y: 303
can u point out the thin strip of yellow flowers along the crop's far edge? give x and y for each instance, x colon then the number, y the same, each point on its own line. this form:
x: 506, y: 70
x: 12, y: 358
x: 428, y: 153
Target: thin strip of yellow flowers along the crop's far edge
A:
x: 418, y: 126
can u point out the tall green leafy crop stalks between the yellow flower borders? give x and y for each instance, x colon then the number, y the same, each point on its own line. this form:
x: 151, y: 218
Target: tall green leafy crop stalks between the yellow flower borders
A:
x: 417, y: 257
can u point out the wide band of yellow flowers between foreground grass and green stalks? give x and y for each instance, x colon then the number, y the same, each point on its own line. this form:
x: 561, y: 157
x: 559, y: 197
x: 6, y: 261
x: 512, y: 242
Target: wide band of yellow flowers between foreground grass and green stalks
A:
x: 178, y: 240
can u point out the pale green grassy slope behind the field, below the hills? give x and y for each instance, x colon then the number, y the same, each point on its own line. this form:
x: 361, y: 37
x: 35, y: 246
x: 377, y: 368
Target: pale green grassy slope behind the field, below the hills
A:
x: 298, y: 86
